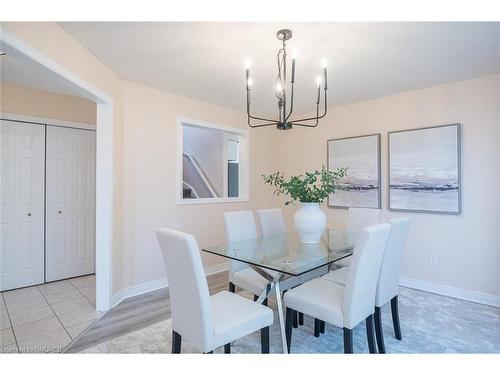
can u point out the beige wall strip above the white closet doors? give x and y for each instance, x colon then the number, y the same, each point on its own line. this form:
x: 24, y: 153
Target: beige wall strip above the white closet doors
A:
x: 26, y: 101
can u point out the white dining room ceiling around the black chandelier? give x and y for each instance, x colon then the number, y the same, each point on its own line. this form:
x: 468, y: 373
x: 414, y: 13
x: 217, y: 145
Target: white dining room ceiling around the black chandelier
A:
x: 366, y: 60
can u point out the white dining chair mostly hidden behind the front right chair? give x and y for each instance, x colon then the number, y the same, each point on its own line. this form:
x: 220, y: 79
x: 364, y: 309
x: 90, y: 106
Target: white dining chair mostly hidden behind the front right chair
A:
x: 388, y: 281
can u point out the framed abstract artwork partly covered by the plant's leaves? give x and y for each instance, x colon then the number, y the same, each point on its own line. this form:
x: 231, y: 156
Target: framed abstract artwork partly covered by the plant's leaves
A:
x: 361, y: 156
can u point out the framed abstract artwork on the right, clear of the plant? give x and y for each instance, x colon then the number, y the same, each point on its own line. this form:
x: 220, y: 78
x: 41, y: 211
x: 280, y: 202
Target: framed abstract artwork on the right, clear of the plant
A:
x: 425, y: 170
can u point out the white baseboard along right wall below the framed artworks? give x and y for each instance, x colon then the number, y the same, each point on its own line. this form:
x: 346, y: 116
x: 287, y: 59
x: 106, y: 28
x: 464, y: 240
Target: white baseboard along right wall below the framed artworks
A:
x: 450, y: 291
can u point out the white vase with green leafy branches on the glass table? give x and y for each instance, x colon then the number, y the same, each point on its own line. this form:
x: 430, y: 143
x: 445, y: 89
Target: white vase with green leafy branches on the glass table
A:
x: 310, y: 189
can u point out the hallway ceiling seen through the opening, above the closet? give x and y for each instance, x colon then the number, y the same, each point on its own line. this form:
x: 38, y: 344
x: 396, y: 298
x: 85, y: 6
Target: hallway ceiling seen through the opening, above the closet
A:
x: 17, y: 69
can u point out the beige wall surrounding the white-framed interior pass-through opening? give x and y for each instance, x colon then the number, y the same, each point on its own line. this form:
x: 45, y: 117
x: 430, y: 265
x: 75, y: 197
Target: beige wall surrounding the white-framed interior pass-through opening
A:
x: 150, y: 153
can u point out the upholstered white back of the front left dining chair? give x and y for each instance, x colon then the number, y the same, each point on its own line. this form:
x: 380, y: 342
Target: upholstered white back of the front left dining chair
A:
x: 188, y: 288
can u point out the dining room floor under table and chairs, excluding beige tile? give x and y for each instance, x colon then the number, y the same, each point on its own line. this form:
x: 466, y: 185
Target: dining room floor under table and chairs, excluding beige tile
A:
x: 430, y: 323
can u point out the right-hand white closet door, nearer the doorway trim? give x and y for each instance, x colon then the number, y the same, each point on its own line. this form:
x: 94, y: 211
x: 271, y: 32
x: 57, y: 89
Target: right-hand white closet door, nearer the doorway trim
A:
x: 70, y: 203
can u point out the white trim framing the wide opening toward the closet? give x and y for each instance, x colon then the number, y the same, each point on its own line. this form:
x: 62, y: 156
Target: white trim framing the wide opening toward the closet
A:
x: 104, y: 161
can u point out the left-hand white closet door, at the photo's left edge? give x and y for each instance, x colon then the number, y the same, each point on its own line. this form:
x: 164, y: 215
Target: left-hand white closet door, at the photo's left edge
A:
x: 22, y: 152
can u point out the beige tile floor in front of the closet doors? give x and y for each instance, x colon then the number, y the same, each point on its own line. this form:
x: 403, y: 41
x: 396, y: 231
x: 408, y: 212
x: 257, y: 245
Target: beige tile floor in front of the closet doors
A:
x: 45, y: 318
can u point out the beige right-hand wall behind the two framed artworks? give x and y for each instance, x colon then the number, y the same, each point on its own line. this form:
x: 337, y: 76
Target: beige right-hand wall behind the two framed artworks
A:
x: 467, y: 245
